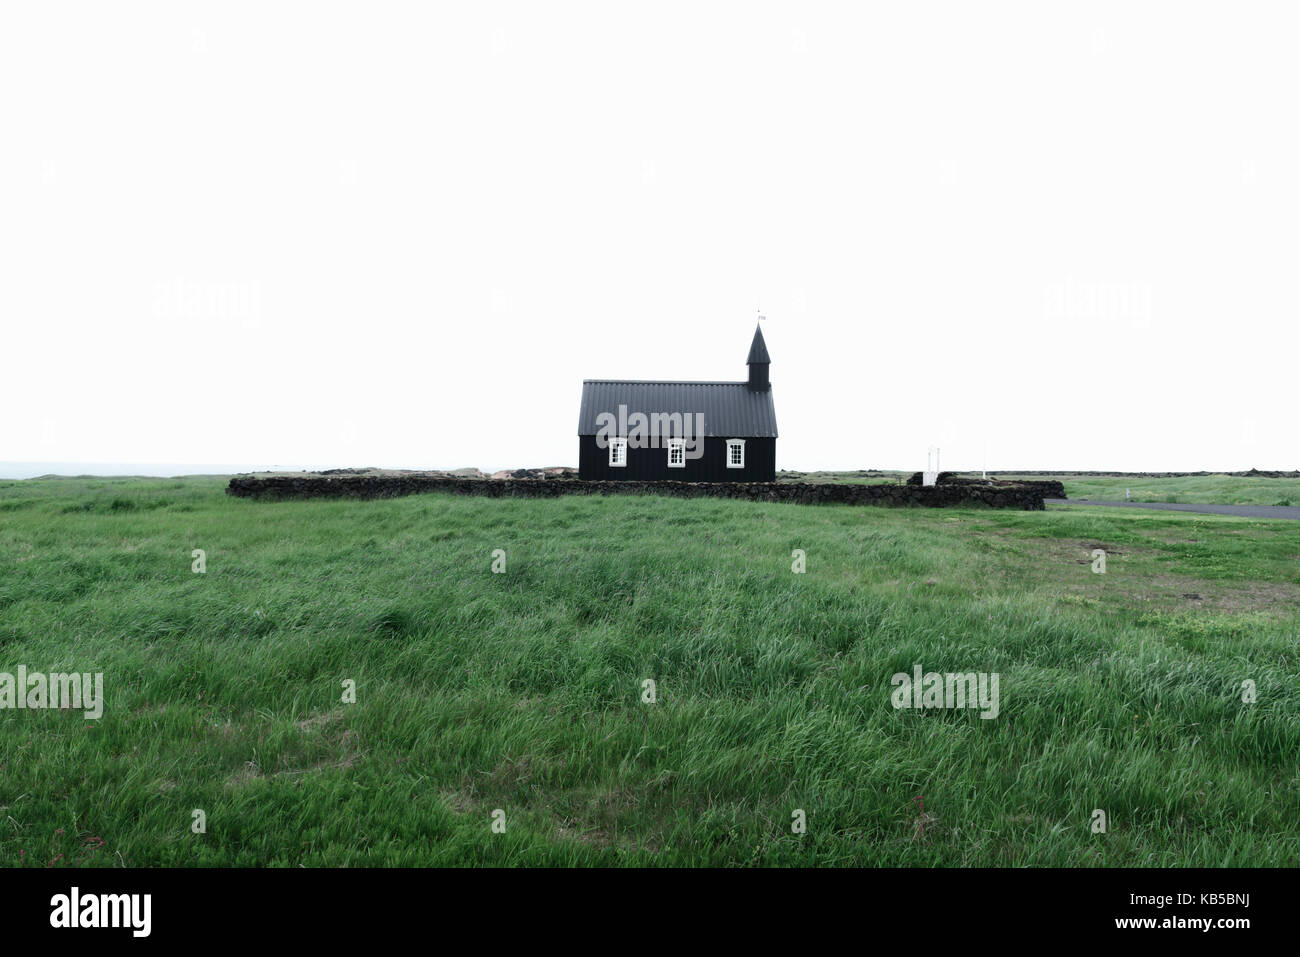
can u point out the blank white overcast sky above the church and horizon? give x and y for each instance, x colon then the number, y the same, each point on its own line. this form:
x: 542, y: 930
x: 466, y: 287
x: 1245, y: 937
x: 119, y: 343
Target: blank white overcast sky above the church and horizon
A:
x: 402, y: 235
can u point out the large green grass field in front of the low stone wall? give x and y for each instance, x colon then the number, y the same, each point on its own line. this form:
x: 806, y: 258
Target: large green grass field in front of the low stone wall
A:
x: 523, y: 691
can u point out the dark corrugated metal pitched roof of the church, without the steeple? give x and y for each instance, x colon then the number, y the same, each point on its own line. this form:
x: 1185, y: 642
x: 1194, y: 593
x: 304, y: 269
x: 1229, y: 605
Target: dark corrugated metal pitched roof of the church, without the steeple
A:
x: 731, y: 410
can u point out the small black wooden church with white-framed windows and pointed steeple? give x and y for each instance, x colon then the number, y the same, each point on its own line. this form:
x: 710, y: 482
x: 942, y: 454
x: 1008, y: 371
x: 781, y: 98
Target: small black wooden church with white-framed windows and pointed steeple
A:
x: 726, y: 432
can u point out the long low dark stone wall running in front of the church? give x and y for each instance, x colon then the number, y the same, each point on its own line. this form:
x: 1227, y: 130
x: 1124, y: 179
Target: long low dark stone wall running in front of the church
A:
x: 1008, y: 496
